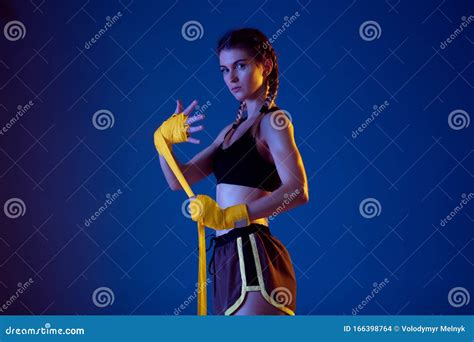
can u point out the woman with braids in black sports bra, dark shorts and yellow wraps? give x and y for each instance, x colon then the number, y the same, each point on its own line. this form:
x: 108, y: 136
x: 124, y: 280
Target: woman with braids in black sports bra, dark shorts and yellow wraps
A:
x: 257, y: 165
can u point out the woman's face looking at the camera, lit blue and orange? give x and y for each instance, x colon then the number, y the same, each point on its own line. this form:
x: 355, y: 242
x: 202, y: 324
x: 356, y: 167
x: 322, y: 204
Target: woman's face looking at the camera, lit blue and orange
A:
x: 242, y: 75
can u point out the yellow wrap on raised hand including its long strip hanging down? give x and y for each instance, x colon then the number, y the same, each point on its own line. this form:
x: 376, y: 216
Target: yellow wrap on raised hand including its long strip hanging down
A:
x: 172, y: 132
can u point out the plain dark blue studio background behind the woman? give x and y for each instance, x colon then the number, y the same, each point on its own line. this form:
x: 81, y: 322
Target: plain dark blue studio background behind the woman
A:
x: 413, y: 160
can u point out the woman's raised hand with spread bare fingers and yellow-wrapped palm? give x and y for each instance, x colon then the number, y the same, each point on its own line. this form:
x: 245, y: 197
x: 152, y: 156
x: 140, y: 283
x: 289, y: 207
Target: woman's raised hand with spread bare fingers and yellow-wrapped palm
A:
x: 177, y: 128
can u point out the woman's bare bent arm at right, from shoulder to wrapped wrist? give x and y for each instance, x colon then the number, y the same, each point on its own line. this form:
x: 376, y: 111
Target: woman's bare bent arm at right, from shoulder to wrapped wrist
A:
x: 294, y: 188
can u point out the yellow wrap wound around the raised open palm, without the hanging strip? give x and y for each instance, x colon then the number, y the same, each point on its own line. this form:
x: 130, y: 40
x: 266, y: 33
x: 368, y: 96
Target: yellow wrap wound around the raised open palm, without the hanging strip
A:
x: 173, y: 131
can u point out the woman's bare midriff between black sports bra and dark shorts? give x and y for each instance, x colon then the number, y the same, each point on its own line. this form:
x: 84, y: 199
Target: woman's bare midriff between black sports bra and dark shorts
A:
x: 231, y: 194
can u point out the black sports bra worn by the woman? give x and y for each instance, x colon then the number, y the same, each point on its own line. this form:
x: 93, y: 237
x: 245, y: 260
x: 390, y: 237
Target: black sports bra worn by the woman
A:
x: 242, y: 164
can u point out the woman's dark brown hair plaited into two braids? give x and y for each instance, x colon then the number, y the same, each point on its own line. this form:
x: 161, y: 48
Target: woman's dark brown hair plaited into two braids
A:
x: 260, y: 49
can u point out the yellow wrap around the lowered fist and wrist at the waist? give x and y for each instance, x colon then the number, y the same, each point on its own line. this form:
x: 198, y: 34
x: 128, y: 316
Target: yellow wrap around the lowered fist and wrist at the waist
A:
x: 206, y: 211
